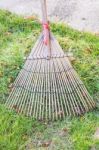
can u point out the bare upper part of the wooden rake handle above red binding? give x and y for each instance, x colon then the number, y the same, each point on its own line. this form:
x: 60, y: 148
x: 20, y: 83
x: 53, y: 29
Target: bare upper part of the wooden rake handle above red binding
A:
x: 44, y: 11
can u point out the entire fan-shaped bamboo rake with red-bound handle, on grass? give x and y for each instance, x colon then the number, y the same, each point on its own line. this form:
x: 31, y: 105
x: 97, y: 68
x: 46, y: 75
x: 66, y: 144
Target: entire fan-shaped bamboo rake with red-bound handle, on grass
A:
x: 47, y: 87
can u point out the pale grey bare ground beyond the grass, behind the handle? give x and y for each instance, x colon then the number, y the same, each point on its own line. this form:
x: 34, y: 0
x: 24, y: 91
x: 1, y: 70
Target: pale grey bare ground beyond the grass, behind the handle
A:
x: 81, y: 15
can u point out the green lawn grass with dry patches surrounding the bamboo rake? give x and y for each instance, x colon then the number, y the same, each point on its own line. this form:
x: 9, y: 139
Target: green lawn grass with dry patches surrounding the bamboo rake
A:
x: 17, y: 37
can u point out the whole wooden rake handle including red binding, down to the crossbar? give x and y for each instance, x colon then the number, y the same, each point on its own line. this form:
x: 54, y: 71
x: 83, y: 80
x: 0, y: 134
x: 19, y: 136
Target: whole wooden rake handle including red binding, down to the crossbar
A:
x: 46, y: 28
